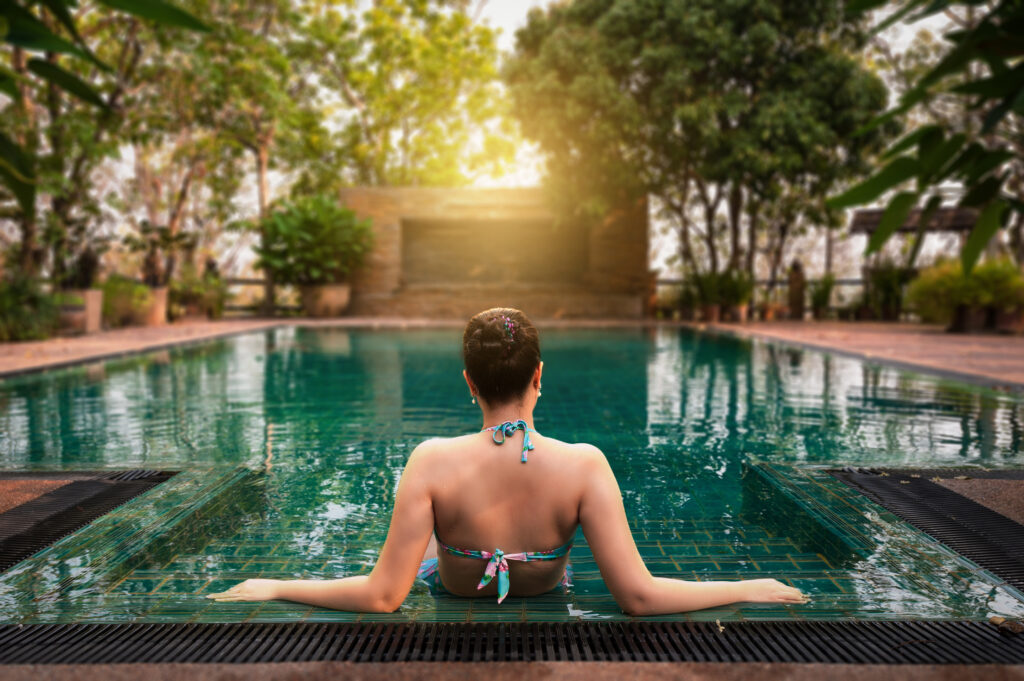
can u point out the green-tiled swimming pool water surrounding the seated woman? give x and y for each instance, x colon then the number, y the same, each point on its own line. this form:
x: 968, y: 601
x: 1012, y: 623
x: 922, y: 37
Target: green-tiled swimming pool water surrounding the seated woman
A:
x: 291, y: 442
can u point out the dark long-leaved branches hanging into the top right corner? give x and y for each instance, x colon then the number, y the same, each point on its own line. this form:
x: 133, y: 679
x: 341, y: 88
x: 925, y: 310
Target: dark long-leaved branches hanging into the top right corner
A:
x: 984, y: 68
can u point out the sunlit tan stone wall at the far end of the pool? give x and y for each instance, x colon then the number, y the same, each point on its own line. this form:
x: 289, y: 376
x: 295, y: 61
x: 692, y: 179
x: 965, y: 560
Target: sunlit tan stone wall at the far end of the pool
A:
x: 450, y: 253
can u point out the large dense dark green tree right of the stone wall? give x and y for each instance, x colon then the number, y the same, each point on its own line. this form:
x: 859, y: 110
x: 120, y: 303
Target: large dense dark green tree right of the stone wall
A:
x: 737, y: 117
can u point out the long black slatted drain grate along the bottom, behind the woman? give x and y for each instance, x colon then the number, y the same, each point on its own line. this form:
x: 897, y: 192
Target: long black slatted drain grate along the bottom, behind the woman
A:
x: 849, y: 643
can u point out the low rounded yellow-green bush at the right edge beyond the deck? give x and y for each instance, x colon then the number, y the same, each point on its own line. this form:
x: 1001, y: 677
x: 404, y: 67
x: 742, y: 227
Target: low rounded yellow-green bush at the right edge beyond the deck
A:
x: 941, y: 289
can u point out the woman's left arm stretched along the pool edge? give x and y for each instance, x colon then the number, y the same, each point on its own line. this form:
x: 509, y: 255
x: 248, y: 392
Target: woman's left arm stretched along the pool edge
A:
x: 387, y: 587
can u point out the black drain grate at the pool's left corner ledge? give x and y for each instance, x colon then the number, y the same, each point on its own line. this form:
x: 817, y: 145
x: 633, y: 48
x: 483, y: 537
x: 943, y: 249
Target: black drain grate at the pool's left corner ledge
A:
x: 36, y: 525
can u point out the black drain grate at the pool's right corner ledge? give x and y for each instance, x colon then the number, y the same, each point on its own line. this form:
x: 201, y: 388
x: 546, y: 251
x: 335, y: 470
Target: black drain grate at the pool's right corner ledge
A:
x: 988, y: 538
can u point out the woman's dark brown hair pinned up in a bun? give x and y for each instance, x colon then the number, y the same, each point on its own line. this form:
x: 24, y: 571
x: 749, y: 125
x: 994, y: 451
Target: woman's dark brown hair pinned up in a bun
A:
x: 501, y: 350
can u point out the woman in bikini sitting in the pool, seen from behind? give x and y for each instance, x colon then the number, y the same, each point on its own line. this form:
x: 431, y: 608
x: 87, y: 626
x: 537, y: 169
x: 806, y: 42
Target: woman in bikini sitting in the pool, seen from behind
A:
x: 509, y: 488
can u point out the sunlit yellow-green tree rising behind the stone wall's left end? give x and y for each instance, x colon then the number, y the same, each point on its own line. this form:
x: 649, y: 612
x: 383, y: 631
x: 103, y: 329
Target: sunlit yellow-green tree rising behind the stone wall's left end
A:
x: 417, y: 89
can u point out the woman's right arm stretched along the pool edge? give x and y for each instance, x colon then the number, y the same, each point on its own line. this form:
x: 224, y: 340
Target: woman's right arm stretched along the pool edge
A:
x: 637, y: 592
